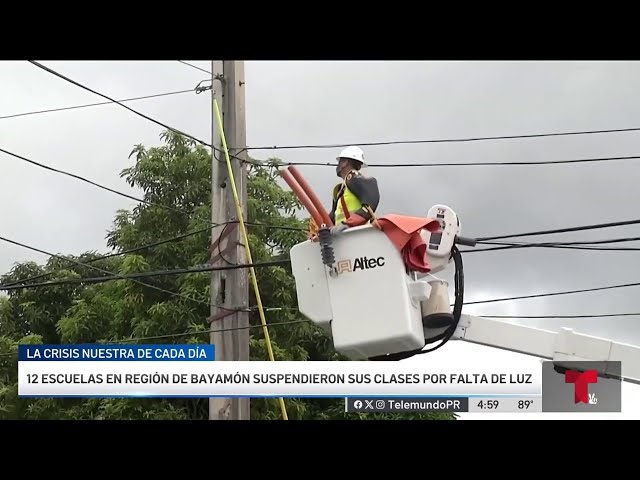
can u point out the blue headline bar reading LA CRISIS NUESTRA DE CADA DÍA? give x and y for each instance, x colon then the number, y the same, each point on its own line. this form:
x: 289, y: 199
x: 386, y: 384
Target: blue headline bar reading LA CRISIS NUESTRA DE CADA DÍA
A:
x: 115, y: 353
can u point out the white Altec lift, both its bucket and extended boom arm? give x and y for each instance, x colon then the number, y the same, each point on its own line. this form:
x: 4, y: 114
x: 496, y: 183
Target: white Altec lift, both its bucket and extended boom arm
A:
x: 357, y: 287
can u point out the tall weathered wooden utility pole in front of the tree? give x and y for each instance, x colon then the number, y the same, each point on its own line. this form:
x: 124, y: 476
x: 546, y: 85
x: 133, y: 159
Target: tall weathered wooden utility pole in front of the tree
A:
x: 229, y: 288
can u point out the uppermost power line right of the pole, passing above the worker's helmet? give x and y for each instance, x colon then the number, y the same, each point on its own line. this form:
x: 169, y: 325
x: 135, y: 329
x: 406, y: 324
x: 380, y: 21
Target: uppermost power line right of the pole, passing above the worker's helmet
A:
x: 446, y: 140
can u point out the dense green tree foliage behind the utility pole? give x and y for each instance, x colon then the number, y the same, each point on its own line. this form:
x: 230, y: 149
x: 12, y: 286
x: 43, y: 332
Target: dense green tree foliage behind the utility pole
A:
x: 174, y: 176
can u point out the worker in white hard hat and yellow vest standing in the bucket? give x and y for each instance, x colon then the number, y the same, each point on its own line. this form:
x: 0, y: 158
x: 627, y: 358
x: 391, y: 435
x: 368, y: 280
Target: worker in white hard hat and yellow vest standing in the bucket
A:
x: 356, y: 199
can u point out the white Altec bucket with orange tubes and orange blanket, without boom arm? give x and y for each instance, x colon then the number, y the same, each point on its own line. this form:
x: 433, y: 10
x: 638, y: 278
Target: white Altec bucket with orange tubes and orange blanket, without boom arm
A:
x: 358, y: 286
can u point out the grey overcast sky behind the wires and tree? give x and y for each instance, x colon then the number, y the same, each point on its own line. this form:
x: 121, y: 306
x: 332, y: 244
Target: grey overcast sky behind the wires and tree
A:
x: 352, y: 102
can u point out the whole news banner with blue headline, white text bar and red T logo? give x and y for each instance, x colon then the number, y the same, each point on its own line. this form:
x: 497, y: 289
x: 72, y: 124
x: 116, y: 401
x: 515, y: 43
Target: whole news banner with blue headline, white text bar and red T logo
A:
x: 164, y: 371
